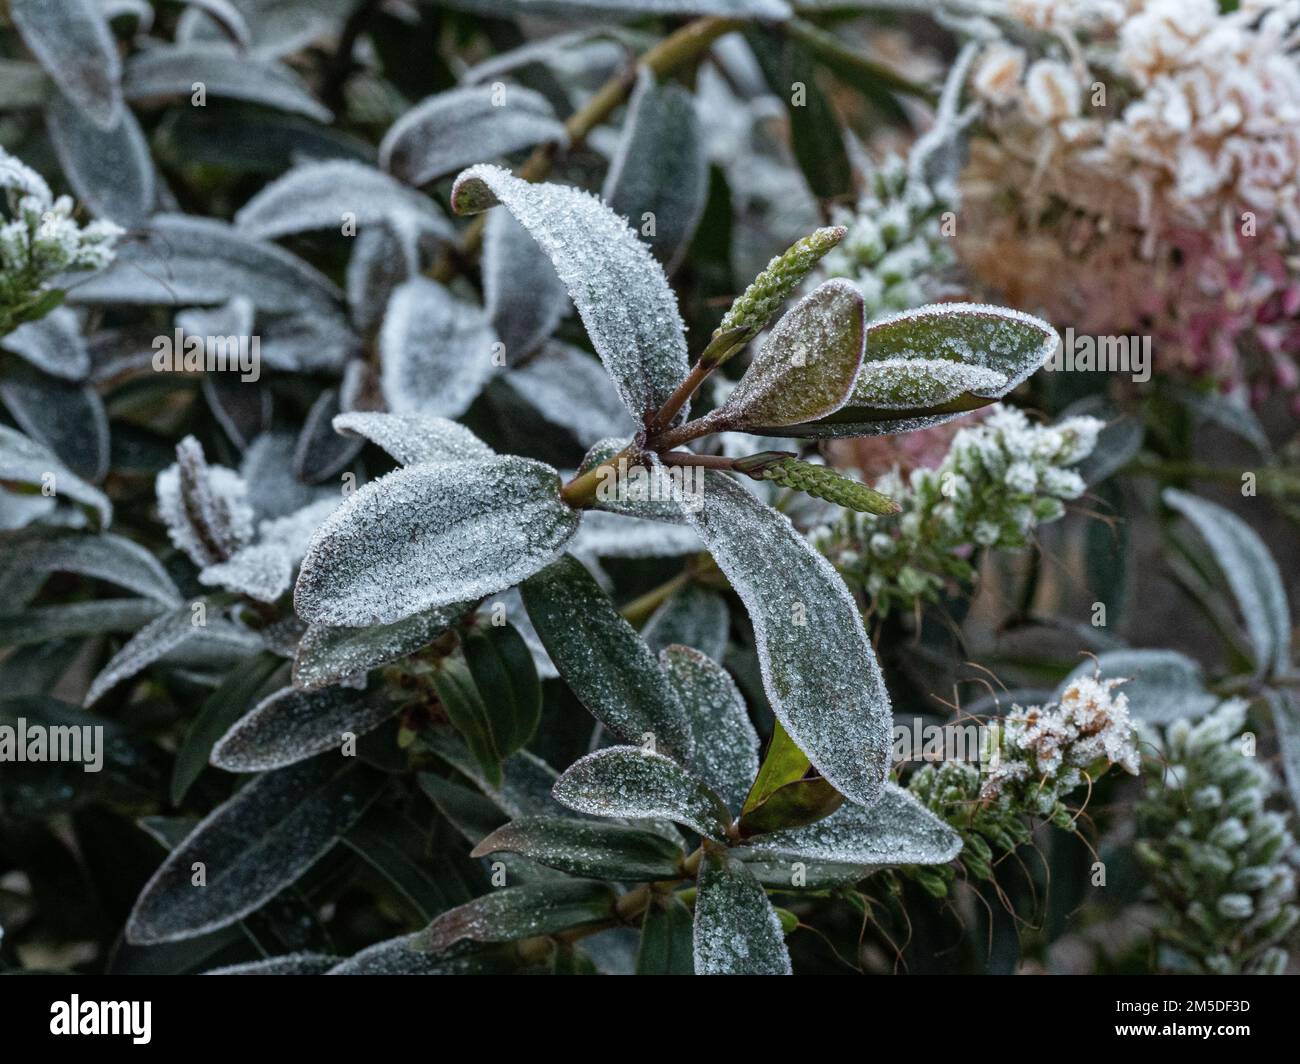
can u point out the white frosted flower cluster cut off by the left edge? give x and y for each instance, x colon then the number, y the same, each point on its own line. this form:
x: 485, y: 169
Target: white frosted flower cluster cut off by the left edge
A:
x: 41, y: 240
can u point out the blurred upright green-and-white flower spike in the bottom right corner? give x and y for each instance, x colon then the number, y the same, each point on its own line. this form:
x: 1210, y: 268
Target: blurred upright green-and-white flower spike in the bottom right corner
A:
x: 1223, y: 864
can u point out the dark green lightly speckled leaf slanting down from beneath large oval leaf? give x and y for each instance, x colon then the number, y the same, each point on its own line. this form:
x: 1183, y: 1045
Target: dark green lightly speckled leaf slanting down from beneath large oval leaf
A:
x: 603, y: 659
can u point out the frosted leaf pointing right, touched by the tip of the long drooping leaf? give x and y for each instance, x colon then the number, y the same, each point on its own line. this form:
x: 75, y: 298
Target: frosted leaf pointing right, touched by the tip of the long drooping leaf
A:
x: 896, y: 831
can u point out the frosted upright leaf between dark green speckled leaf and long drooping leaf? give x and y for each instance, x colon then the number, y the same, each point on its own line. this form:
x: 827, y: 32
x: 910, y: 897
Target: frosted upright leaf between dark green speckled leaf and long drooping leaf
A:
x: 725, y: 739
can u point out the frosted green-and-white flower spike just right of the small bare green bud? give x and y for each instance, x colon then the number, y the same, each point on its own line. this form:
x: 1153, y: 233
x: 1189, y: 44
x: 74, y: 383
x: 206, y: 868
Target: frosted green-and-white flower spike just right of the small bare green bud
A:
x: 998, y: 483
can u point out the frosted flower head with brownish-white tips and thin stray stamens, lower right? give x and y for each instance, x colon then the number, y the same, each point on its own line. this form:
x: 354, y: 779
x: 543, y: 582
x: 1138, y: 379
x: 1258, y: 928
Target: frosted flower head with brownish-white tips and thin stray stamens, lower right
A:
x: 1045, y: 752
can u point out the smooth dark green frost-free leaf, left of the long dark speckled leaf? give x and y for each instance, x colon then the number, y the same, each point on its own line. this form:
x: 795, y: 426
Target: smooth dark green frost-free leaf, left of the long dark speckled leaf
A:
x: 508, y: 682
